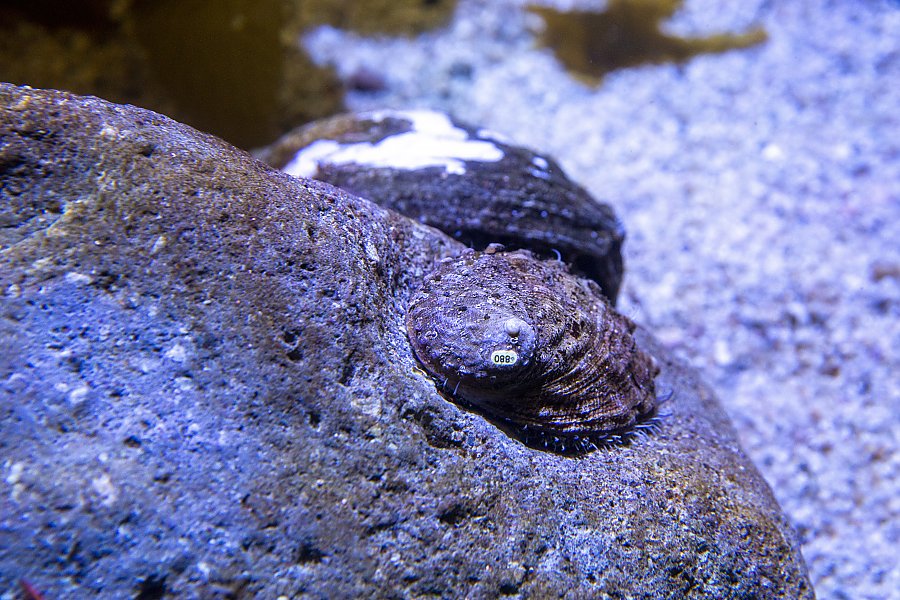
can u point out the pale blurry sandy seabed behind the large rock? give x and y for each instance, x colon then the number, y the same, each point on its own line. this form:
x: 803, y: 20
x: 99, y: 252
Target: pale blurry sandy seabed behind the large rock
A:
x: 760, y: 190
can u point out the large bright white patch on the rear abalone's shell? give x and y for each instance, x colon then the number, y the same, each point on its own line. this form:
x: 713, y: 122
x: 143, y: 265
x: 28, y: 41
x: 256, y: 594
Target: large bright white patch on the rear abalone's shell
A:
x: 432, y: 142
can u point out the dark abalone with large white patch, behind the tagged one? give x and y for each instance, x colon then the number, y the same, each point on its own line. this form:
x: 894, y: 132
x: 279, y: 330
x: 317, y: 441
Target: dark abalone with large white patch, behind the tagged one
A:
x: 466, y: 181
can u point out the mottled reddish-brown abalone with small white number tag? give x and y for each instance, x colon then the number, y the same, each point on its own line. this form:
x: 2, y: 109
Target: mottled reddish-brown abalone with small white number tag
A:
x: 531, y: 346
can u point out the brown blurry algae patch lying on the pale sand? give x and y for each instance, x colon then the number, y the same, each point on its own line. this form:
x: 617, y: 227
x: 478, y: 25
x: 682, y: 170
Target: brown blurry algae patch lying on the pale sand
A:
x: 627, y: 34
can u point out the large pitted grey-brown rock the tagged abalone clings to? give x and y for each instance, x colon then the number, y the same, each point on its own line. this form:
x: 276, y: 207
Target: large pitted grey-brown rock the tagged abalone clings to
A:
x: 207, y: 391
